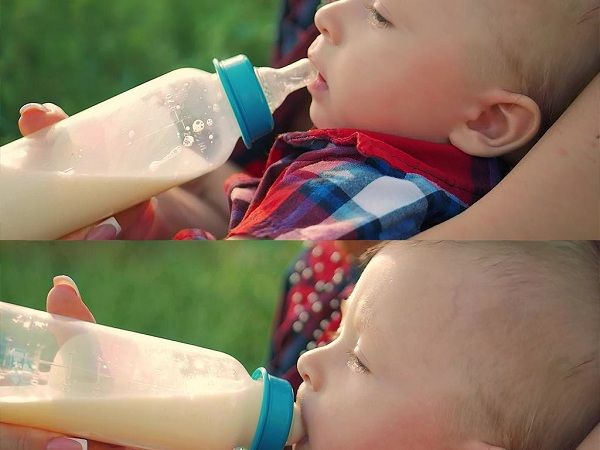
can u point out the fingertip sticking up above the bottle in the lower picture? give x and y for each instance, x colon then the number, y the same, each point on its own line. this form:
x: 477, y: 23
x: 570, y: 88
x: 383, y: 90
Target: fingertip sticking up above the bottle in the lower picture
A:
x: 64, y: 299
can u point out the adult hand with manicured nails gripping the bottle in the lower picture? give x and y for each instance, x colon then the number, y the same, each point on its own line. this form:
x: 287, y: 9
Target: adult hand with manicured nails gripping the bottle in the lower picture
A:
x: 63, y: 299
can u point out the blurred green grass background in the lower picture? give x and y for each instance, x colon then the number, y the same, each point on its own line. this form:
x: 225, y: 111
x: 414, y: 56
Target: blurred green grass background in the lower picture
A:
x: 219, y: 295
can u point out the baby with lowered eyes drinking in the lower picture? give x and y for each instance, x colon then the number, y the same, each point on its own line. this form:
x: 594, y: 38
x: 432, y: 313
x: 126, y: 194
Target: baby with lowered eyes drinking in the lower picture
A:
x: 498, y: 350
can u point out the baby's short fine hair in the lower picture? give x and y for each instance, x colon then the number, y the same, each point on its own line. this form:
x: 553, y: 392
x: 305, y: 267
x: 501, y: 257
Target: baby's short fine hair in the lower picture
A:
x: 539, y: 388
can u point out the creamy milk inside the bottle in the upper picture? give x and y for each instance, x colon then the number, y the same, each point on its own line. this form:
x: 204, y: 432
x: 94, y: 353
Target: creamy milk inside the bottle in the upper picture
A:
x: 65, y: 202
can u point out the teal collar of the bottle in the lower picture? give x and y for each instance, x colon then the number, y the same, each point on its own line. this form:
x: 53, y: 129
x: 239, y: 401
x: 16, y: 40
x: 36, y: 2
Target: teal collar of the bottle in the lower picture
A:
x: 276, y: 412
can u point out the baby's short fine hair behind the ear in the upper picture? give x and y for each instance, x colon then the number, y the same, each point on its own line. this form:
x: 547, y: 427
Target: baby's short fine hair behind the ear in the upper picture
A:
x: 554, y: 56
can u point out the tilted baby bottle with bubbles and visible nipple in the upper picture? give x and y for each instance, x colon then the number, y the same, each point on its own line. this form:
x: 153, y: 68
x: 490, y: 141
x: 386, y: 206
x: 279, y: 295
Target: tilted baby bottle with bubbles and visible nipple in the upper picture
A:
x: 142, y: 142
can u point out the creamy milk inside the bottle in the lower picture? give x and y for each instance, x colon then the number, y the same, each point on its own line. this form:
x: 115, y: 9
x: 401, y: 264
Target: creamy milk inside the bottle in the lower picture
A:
x: 158, y: 422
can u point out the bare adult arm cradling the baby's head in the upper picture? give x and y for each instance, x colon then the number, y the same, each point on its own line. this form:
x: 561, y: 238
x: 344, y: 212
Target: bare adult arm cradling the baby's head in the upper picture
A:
x: 553, y: 193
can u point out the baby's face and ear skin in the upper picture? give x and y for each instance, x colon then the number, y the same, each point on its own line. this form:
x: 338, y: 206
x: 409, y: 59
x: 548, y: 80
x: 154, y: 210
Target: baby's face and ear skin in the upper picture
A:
x: 424, y: 86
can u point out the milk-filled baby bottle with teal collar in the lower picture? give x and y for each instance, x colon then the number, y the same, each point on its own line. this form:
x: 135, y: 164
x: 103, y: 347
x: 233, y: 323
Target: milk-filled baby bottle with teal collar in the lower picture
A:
x: 125, y: 388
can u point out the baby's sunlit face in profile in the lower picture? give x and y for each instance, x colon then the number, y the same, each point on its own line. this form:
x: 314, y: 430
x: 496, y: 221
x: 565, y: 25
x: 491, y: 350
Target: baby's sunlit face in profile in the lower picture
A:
x: 391, y: 378
